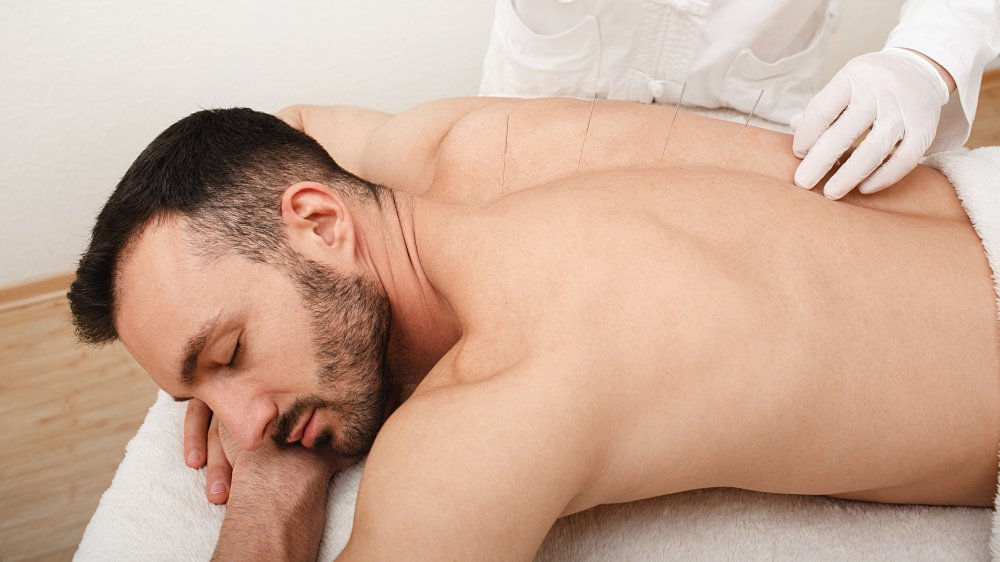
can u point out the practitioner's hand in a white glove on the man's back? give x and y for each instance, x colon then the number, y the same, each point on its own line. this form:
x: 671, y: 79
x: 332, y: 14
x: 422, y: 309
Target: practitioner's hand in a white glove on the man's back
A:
x: 896, y: 93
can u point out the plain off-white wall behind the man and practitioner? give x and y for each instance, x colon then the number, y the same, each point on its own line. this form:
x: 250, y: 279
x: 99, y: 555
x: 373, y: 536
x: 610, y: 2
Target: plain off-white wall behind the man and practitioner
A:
x: 85, y: 85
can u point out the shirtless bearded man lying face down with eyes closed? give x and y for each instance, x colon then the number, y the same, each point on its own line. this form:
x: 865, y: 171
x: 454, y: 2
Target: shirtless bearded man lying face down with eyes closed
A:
x: 641, y: 327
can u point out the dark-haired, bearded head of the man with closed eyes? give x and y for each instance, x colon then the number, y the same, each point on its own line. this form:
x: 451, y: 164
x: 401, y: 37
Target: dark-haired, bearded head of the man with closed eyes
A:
x: 229, y: 261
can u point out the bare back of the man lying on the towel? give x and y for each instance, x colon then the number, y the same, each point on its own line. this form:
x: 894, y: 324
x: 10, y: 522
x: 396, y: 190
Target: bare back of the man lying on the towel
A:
x: 844, y: 348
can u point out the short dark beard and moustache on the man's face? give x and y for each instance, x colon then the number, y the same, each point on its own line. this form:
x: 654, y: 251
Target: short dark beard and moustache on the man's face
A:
x: 350, y: 319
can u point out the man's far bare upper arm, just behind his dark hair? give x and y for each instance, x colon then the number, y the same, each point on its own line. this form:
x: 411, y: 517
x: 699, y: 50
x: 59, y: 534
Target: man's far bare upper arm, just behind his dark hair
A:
x: 397, y: 151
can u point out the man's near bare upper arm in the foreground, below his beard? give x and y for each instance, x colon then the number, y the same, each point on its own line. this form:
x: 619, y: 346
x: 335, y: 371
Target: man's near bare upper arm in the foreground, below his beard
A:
x: 475, y: 472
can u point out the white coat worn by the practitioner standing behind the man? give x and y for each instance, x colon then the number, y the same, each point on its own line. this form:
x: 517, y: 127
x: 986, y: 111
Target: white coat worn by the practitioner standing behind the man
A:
x: 727, y: 51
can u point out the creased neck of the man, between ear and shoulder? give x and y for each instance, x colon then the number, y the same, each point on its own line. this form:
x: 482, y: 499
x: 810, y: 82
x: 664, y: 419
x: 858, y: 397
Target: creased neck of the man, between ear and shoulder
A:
x: 424, y: 327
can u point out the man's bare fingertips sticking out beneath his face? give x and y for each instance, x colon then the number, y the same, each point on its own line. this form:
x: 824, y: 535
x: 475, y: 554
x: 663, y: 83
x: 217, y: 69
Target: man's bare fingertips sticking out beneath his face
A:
x: 202, y: 447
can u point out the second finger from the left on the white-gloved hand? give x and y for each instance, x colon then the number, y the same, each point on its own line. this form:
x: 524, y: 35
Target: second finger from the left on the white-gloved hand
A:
x: 833, y: 144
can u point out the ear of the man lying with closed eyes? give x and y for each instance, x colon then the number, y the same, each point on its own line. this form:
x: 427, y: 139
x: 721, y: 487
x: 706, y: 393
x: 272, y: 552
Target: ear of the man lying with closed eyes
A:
x: 318, y: 222
